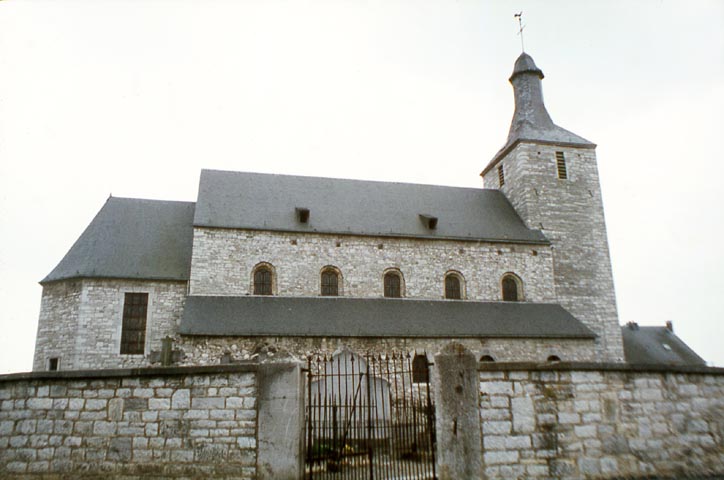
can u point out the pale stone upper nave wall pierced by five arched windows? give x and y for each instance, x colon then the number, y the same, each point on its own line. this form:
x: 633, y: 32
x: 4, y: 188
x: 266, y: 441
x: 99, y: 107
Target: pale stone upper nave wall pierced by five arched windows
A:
x: 223, y: 261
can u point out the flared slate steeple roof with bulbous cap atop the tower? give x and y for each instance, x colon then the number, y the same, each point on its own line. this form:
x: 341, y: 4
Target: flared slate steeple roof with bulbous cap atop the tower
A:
x: 531, y: 121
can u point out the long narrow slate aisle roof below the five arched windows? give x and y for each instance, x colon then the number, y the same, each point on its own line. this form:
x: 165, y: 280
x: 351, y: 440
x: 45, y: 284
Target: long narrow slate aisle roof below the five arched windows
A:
x: 375, y: 317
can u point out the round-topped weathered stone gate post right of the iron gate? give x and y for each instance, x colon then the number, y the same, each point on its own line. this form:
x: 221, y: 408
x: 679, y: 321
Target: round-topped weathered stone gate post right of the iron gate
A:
x: 457, y: 421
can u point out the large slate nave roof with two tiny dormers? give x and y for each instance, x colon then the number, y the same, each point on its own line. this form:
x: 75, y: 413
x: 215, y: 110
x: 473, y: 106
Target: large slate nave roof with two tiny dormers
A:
x: 337, y: 206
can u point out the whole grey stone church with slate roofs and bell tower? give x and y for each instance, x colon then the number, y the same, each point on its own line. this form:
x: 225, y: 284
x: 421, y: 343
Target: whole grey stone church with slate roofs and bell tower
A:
x: 262, y: 264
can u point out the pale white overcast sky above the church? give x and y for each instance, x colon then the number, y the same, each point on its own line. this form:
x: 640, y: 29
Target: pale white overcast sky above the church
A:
x: 133, y: 98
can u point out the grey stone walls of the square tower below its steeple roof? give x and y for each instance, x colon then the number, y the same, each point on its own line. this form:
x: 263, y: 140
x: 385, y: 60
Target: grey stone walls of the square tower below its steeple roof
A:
x: 570, y: 214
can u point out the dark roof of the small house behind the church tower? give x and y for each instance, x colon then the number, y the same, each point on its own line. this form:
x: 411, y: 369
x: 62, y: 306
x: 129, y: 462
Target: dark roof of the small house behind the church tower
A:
x: 645, y: 346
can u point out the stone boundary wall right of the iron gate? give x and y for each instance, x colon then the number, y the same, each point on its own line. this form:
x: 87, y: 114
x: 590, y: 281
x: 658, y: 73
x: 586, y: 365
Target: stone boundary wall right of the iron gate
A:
x: 605, y: 423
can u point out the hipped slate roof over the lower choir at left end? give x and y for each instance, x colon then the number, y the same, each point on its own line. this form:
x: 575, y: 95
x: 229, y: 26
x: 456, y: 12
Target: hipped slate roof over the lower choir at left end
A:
x: 132, y: 239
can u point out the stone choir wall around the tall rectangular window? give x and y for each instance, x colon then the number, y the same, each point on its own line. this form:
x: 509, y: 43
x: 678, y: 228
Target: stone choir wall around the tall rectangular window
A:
x: 80, y: 322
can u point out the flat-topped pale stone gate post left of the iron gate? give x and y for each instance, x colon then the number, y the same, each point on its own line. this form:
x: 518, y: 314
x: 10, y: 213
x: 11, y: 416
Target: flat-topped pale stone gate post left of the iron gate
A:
x: 280, y: 422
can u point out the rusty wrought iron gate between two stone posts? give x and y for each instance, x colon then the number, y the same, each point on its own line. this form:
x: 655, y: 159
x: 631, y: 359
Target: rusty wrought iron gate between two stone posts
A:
x: 369, y: 417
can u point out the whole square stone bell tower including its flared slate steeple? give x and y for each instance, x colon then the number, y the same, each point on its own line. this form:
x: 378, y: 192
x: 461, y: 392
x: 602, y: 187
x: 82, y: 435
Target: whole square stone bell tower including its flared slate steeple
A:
x: 550, y: 175
